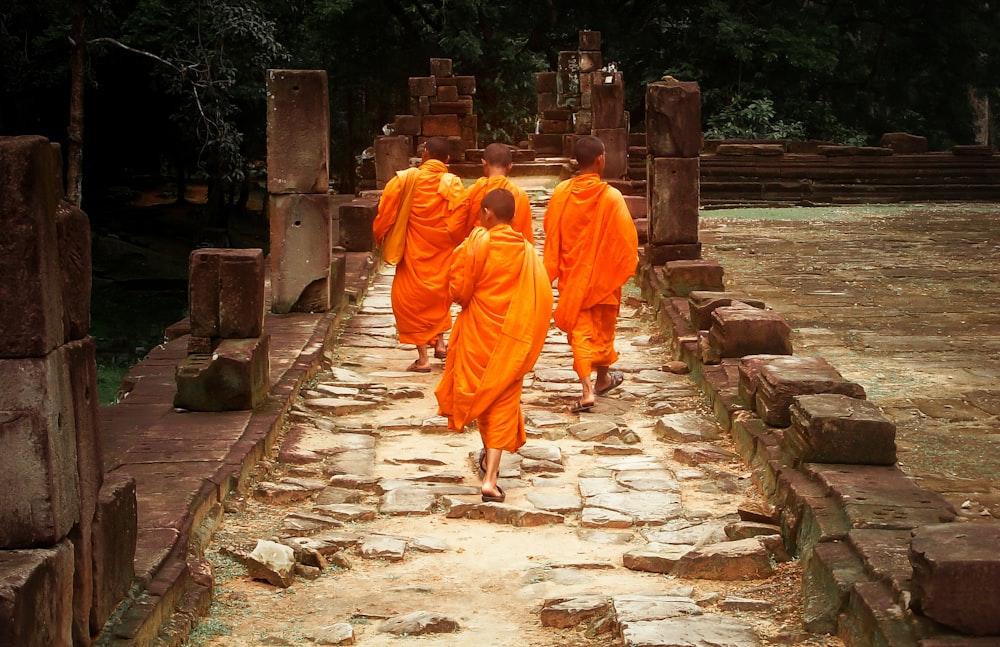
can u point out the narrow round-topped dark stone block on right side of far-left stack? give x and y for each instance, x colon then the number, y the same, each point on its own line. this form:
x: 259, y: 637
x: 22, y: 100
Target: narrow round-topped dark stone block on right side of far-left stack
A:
x: 73, y: 232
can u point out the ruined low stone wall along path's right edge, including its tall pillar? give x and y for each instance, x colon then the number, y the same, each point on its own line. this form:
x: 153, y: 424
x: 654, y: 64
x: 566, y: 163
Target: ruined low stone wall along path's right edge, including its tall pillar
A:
x: 884, y: 561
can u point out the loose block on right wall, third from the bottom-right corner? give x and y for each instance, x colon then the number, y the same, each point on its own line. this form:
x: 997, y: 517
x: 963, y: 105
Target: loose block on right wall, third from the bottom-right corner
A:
x: 782, y: 379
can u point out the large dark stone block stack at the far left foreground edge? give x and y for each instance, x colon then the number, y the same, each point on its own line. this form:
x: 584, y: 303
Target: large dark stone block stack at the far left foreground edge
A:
x: 67, y: 533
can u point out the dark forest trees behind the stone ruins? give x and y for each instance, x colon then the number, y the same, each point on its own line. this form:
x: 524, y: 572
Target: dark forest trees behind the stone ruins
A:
x: 174, y: 89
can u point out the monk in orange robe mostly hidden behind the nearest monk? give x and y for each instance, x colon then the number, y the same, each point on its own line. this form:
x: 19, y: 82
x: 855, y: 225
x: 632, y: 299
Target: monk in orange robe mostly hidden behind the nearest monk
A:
x: 497, y: 162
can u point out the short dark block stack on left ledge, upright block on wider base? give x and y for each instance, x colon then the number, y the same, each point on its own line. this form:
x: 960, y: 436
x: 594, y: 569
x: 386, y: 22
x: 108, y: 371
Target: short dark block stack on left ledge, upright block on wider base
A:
x: 228, y: 362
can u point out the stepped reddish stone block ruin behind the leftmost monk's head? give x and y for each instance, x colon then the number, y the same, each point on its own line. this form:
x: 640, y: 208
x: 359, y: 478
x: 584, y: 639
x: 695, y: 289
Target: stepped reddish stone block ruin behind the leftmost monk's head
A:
x: 441, y: 105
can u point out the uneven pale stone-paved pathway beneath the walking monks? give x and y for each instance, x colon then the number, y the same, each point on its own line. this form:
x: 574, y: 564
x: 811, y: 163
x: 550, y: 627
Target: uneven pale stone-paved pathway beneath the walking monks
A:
x: 634, y: 523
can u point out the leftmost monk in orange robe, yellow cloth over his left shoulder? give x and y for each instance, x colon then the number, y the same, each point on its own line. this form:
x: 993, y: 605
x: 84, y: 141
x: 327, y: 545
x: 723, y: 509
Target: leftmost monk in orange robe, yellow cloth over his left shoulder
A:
x: 420, y: 300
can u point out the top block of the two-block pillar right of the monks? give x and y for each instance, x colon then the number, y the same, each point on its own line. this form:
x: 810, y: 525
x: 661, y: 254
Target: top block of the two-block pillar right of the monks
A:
x: 673, y: 118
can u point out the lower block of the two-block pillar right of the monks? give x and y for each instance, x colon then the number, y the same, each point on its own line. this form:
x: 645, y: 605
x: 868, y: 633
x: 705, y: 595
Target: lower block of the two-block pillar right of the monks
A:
x: 674, y: 197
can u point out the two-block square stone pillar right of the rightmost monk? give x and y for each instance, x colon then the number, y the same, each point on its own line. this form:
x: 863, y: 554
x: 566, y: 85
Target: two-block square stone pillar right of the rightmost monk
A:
x: 673, y: 134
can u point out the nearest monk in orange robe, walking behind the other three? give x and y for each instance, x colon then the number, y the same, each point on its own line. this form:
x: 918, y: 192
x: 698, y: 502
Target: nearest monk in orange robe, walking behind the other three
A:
x: 506, y: 300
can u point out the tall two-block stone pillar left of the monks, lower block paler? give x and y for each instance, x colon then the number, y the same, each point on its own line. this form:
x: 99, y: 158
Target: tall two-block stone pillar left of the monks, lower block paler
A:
x: 298, y: 179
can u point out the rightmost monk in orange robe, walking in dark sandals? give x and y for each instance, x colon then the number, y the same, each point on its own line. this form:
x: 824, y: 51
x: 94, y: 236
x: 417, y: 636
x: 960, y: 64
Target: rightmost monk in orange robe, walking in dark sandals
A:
x: 591, y: 250
